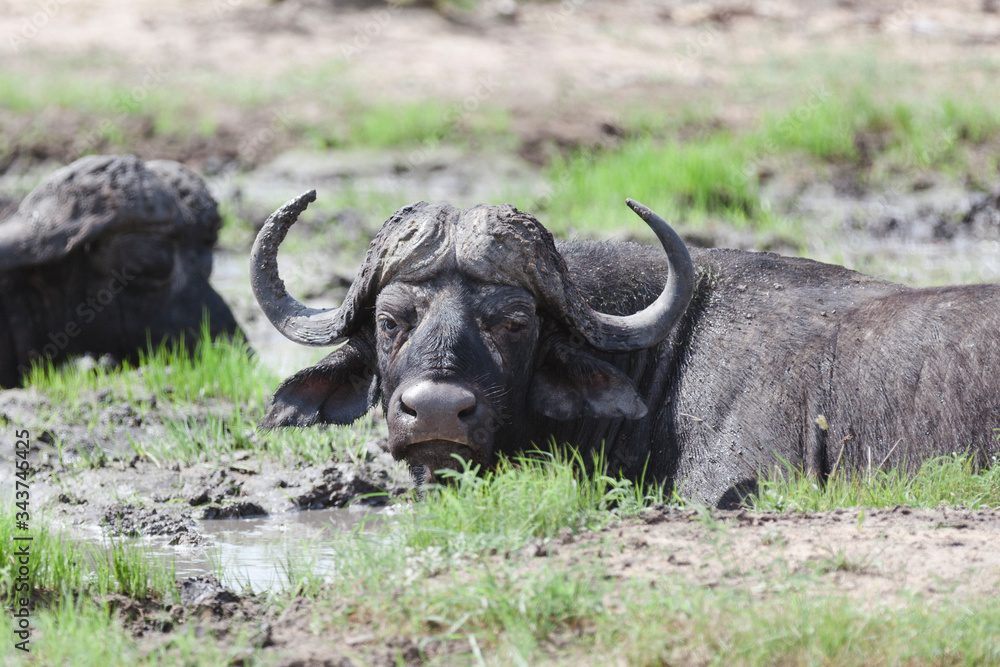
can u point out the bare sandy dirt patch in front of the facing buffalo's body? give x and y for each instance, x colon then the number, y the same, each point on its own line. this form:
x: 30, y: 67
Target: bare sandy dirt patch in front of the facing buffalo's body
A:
x: 869, y: 555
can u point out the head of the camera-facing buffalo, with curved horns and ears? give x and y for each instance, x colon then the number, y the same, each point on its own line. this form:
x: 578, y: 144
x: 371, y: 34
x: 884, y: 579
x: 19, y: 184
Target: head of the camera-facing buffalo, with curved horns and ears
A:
x: 462, y: 322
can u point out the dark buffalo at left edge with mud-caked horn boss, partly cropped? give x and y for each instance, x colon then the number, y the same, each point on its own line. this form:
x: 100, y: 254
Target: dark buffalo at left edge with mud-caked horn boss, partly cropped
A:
x: 107, y: 255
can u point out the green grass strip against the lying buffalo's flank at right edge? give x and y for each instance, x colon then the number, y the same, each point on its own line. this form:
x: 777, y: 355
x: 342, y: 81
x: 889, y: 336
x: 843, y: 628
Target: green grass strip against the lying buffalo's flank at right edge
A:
x: 948, y: 480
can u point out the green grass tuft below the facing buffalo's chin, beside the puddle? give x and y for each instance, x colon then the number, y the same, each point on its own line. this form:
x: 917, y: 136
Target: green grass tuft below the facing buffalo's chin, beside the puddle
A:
x: 522, y: 499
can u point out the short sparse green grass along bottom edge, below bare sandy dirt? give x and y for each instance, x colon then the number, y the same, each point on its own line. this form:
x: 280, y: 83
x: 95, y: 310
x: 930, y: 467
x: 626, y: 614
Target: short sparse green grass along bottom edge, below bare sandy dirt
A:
x: 577, y: 614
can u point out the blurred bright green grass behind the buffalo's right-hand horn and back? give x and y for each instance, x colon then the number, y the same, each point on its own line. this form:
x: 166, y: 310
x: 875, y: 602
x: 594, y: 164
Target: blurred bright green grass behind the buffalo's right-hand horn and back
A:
x: 714, y: 174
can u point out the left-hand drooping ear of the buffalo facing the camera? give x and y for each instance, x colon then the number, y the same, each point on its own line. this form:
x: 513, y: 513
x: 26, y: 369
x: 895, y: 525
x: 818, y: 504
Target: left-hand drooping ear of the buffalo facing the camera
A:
x: 337, y: 390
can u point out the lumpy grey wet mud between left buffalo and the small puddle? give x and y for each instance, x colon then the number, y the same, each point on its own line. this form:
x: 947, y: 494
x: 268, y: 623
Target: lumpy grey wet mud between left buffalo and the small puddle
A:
x: 89, y: 471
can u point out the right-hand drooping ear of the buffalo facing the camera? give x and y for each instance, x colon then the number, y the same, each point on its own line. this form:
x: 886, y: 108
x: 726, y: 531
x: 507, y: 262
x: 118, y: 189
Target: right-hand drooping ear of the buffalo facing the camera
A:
x: 571, y: 383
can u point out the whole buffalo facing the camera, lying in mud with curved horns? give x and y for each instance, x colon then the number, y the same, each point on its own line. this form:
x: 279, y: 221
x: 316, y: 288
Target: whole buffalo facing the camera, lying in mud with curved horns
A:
x: 480, y: 335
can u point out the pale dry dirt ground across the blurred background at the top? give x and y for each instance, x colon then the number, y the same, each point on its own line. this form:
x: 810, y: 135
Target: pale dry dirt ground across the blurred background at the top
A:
x: 564, y: 69
